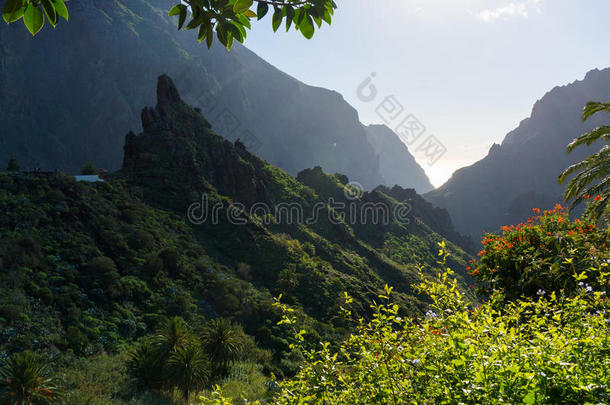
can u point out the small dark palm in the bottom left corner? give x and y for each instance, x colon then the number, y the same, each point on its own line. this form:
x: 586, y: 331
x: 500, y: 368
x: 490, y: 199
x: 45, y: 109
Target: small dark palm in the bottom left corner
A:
x: 26, y: 381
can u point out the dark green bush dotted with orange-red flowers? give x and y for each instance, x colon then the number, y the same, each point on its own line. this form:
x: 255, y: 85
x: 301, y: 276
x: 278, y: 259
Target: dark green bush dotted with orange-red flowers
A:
x: 541, y: 255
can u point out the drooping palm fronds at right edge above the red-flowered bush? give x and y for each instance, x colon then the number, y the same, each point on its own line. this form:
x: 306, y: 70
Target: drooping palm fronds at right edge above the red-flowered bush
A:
x: 593, y: 178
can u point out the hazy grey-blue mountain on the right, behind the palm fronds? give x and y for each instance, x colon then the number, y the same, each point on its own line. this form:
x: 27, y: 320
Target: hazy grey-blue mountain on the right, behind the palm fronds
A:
x: 521, y: 173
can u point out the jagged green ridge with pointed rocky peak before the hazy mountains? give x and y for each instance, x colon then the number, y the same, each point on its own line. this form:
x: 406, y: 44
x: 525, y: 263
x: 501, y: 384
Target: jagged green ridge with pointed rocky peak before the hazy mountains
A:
x: 197, y: 226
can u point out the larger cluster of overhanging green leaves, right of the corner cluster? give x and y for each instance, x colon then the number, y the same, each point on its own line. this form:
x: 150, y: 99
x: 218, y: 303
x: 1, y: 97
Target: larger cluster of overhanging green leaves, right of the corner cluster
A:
x: 230, y: 18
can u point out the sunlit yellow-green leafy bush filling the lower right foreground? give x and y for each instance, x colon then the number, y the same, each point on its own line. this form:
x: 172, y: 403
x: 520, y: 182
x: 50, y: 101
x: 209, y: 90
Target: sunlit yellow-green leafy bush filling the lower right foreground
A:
x: 552, y: 349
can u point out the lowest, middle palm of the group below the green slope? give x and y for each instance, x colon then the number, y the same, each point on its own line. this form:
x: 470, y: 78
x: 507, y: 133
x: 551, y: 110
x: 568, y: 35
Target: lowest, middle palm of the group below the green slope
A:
x: 188, y: 369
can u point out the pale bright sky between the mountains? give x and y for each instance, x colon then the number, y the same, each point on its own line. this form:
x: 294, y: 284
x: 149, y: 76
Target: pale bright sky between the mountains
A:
x: 468, y: 71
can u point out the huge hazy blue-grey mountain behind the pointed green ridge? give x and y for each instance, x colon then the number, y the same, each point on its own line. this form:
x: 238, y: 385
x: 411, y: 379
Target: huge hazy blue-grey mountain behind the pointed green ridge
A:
x: 67, y: 95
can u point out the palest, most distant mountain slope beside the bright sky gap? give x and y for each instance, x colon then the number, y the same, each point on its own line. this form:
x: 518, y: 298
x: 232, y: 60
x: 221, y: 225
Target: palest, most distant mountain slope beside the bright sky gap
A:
x: 397, y: 165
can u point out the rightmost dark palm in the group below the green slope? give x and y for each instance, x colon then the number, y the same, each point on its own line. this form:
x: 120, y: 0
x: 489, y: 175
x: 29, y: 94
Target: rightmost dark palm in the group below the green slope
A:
x: 222, y: 342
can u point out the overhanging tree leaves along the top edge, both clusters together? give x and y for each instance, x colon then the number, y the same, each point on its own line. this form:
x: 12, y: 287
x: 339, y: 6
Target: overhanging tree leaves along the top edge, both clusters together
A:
x: 228, y: 19
